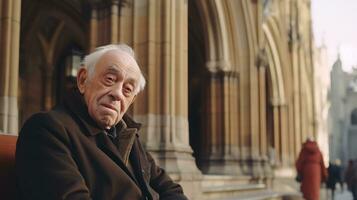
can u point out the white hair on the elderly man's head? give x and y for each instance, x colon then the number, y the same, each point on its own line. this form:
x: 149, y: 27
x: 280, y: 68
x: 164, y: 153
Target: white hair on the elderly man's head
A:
x: 90, y: 61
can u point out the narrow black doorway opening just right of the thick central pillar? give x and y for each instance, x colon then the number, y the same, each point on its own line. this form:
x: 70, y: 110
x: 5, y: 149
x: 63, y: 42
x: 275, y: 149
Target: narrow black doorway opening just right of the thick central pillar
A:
x: 197, y: 80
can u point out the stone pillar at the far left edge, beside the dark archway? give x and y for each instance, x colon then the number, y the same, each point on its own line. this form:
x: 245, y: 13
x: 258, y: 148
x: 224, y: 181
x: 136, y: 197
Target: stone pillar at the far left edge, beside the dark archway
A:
x: 10, y: 11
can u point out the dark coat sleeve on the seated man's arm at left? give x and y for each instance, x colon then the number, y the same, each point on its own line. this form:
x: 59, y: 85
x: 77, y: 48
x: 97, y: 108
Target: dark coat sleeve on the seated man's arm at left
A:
x: 45, y: 168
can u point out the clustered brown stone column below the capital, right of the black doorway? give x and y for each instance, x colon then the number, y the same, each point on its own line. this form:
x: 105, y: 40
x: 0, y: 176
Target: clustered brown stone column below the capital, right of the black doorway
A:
x: 220, y: 150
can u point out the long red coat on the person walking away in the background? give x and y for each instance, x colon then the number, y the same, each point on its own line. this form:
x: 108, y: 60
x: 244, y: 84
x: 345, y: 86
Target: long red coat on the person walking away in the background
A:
x: 311, y: 166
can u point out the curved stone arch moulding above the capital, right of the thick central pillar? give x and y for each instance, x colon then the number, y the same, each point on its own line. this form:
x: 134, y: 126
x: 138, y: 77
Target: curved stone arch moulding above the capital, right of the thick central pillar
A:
x: 225, y: 31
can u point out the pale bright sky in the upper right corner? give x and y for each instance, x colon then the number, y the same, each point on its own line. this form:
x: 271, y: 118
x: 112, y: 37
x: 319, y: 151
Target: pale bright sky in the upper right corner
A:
x: 335, y: 24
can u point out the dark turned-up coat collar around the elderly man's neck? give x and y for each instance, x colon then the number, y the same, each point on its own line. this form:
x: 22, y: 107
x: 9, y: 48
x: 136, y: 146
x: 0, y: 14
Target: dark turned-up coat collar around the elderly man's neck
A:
x: 74, y: 102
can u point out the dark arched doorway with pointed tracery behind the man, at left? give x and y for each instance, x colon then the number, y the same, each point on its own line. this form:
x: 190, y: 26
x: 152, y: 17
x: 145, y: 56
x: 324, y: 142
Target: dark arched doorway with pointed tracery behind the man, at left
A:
x: 50, y: 32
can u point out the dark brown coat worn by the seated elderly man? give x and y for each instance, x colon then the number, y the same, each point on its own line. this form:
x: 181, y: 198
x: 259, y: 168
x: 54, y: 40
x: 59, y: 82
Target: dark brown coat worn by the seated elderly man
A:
x: 62, y: 154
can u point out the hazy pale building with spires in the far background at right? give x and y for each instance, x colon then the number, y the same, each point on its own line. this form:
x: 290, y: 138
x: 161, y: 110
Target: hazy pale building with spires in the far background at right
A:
x: 343, y: 114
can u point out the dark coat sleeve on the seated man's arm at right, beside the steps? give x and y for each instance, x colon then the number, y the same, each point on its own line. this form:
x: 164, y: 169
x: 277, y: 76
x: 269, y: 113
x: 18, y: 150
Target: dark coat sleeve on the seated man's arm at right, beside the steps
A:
x: 163, y: 184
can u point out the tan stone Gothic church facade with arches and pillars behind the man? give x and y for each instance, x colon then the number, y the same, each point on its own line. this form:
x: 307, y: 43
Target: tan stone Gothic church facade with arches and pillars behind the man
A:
x: 229, y: 93
